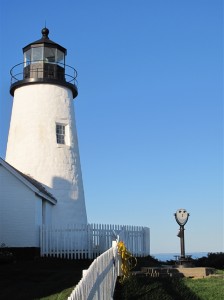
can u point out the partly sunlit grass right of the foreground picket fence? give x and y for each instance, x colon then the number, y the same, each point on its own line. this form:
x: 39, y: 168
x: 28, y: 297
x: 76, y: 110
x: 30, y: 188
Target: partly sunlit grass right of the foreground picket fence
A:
x: 147, y: 288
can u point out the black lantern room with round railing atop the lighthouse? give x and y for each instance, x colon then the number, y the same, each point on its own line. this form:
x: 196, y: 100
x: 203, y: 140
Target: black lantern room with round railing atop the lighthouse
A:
x: 44, y: 62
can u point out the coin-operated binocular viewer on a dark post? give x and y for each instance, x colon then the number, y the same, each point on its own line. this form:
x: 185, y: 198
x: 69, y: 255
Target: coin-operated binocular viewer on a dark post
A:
x: 181, y: 217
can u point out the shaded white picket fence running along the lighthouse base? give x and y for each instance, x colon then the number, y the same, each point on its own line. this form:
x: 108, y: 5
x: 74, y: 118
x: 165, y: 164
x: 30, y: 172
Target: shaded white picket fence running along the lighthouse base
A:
x: 89, y: 241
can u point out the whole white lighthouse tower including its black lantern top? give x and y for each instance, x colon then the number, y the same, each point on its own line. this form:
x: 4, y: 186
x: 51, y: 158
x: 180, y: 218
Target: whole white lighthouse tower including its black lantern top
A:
x: 42, y: 141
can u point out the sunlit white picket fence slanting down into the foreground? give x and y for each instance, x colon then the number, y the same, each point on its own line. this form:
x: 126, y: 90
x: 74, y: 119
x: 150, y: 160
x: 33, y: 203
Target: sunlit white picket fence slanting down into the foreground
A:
x: 98, y: 282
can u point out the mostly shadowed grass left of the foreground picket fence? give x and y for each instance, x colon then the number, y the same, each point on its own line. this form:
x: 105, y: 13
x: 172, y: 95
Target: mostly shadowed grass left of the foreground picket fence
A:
x: 45, y: 279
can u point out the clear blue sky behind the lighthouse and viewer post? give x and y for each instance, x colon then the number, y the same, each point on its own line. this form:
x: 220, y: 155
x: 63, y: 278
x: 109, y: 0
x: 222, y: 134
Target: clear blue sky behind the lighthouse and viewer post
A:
x: 149, y: 111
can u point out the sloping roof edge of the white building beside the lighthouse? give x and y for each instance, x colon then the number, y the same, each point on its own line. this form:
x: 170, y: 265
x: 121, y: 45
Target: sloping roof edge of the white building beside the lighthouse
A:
x: 33, y: 184
